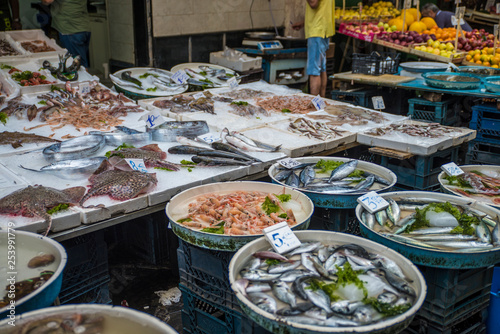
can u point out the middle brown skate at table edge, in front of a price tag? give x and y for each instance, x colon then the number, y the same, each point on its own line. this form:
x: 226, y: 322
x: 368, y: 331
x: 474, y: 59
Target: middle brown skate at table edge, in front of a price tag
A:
x: 118, y: 184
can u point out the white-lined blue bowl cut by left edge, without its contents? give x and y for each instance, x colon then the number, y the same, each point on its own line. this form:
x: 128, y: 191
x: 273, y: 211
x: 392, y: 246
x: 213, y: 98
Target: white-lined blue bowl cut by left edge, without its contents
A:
x: 27, y: 245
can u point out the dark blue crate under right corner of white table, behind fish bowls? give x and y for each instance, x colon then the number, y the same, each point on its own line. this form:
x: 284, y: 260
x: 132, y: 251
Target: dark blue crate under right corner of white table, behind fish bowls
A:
x: 420, y: 172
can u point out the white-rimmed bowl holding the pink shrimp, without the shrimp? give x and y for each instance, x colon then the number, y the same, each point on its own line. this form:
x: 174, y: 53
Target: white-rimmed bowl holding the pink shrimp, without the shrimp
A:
x: 177, y: 208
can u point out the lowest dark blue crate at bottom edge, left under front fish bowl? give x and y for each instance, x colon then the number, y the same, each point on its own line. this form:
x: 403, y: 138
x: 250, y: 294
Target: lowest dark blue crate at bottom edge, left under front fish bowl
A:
x: 204, y: 317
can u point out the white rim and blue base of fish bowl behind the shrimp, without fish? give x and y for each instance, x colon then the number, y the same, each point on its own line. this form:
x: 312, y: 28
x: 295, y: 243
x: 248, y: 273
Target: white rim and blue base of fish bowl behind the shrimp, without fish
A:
x: 339, y: 201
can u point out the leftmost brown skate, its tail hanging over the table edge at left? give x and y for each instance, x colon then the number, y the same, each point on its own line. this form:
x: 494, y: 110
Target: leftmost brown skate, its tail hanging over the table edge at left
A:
x: 34, y: 201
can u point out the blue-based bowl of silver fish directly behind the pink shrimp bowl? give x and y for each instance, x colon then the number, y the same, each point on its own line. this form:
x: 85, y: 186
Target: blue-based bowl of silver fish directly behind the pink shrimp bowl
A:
x: 332, y: 182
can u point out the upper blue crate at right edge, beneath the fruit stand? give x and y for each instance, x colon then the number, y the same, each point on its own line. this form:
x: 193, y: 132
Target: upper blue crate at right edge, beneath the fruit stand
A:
x: 486, y: 121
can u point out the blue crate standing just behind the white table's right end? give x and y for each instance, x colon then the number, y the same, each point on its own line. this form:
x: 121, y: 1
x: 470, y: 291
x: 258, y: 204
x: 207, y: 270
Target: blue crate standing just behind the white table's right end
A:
x: 444, y: 112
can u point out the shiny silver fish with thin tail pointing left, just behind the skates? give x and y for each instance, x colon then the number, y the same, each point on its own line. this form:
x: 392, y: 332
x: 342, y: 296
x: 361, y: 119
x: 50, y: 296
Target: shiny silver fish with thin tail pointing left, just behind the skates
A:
x: 71, y: 169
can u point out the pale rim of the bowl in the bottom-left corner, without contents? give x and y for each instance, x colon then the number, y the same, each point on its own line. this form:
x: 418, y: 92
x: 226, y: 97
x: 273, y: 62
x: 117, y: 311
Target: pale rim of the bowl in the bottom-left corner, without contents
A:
x: 117, y: 319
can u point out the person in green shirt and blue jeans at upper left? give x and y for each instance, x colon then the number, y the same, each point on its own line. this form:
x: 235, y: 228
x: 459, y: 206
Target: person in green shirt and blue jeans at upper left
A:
x: 71, y: 19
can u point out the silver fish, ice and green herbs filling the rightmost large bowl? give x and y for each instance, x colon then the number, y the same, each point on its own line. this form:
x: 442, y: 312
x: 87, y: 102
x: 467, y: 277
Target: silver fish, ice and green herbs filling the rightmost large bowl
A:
x: 435, y: 225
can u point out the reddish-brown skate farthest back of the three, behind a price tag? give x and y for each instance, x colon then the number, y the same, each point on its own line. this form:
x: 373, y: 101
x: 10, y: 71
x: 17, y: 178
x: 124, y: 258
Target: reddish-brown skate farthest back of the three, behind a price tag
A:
x: 152, y: 155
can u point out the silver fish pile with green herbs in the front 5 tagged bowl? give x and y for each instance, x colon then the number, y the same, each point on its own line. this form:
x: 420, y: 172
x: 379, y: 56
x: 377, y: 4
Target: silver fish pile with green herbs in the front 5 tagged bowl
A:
x: 327, y: 285
